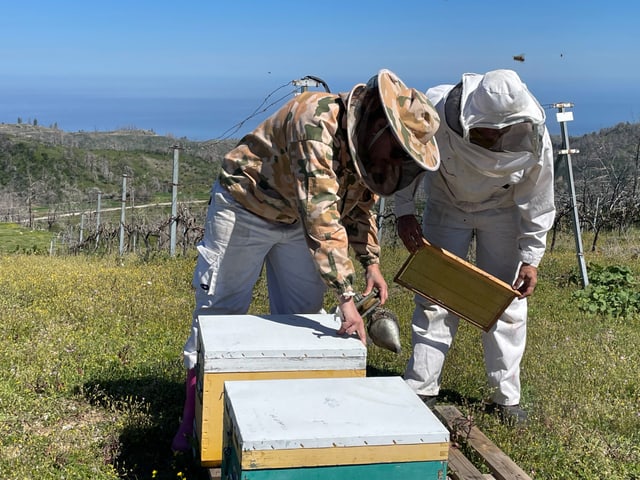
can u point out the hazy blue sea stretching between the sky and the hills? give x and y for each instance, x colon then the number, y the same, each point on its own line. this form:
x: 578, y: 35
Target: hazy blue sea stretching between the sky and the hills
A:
x: 201, y: 119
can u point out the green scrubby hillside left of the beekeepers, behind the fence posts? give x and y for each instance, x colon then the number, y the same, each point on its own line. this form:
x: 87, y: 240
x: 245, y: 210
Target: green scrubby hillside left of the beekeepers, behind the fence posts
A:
x: 51, y: 170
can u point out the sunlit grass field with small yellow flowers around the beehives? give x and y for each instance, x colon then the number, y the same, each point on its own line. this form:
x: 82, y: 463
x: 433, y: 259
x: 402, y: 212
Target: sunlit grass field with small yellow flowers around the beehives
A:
x: 91, y: 383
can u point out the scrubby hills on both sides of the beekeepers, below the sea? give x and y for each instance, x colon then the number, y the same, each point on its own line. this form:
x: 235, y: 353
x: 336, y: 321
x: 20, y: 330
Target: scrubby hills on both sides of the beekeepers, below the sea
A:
x: 52, y: 170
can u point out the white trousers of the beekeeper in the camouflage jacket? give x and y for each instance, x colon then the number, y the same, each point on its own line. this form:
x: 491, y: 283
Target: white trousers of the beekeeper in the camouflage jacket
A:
x: 235, y: 247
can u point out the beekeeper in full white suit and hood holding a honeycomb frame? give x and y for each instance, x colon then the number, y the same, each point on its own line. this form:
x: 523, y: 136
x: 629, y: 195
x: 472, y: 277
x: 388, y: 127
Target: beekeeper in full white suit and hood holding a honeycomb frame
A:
x: 495, y: 184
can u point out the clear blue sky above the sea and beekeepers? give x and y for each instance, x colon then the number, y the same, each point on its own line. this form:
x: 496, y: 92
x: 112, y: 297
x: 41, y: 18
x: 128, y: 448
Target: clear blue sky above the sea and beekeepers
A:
x: 585, y: 52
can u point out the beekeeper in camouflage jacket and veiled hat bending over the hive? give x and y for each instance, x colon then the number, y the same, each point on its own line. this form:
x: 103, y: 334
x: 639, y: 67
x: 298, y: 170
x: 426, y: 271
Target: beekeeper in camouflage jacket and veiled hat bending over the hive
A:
x: 297, y: 192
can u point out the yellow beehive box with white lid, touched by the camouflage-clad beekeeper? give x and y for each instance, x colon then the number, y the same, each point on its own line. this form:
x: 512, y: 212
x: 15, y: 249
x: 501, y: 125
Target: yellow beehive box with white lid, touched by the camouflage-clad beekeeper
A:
x: 250, y: 347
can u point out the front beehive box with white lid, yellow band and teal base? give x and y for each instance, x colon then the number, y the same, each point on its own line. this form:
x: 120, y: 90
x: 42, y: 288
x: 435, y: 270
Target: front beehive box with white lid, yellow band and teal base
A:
x: 369, y: 428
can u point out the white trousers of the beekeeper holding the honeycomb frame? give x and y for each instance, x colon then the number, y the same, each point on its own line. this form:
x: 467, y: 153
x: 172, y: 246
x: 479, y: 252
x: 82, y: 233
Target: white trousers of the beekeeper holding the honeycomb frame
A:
x: 433, y: 328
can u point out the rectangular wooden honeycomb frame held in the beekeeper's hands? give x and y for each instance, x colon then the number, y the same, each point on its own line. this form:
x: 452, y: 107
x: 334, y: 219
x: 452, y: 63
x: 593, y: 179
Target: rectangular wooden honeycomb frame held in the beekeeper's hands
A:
x: 457, y: 285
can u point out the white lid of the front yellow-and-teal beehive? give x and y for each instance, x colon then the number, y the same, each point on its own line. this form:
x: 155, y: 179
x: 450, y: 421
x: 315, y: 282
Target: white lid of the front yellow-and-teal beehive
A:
x: 329, y: 412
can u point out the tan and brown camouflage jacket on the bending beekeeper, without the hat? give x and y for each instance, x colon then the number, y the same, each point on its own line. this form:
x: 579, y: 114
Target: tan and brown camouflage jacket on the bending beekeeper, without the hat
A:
x: 296, y: 167
